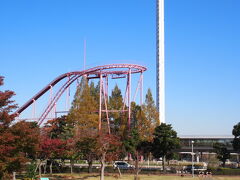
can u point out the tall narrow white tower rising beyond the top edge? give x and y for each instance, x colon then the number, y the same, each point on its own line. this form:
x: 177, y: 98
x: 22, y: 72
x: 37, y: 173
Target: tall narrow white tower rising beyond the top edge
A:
x: 160, y: 61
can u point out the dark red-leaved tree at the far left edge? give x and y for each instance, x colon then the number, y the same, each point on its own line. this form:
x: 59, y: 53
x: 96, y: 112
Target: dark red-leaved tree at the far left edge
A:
x: 18, y: 140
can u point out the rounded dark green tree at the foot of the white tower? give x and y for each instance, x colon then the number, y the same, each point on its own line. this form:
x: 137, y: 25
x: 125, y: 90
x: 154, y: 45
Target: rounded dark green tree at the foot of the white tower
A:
x: 165, y: 141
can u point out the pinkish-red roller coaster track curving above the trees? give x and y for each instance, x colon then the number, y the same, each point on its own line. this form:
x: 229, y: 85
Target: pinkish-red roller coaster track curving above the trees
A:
x: 114, y: 70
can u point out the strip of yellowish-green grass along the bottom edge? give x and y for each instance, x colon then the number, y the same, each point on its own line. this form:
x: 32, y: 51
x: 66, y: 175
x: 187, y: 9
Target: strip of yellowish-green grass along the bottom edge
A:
x: 142, y: 177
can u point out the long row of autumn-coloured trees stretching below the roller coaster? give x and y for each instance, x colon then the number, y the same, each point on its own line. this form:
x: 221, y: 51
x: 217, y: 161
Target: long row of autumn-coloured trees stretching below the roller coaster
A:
x: 76, y: 135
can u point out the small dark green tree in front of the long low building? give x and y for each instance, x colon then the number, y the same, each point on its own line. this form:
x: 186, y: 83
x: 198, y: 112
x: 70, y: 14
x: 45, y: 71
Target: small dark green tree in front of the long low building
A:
x: 222, y: 152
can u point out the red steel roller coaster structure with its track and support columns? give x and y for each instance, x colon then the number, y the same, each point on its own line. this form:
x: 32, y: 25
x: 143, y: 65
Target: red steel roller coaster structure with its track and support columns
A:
x: 101, y: 72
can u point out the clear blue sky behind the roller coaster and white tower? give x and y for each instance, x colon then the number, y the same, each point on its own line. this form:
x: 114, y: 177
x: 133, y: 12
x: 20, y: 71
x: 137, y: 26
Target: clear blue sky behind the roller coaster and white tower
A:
x: 40, y: 40
